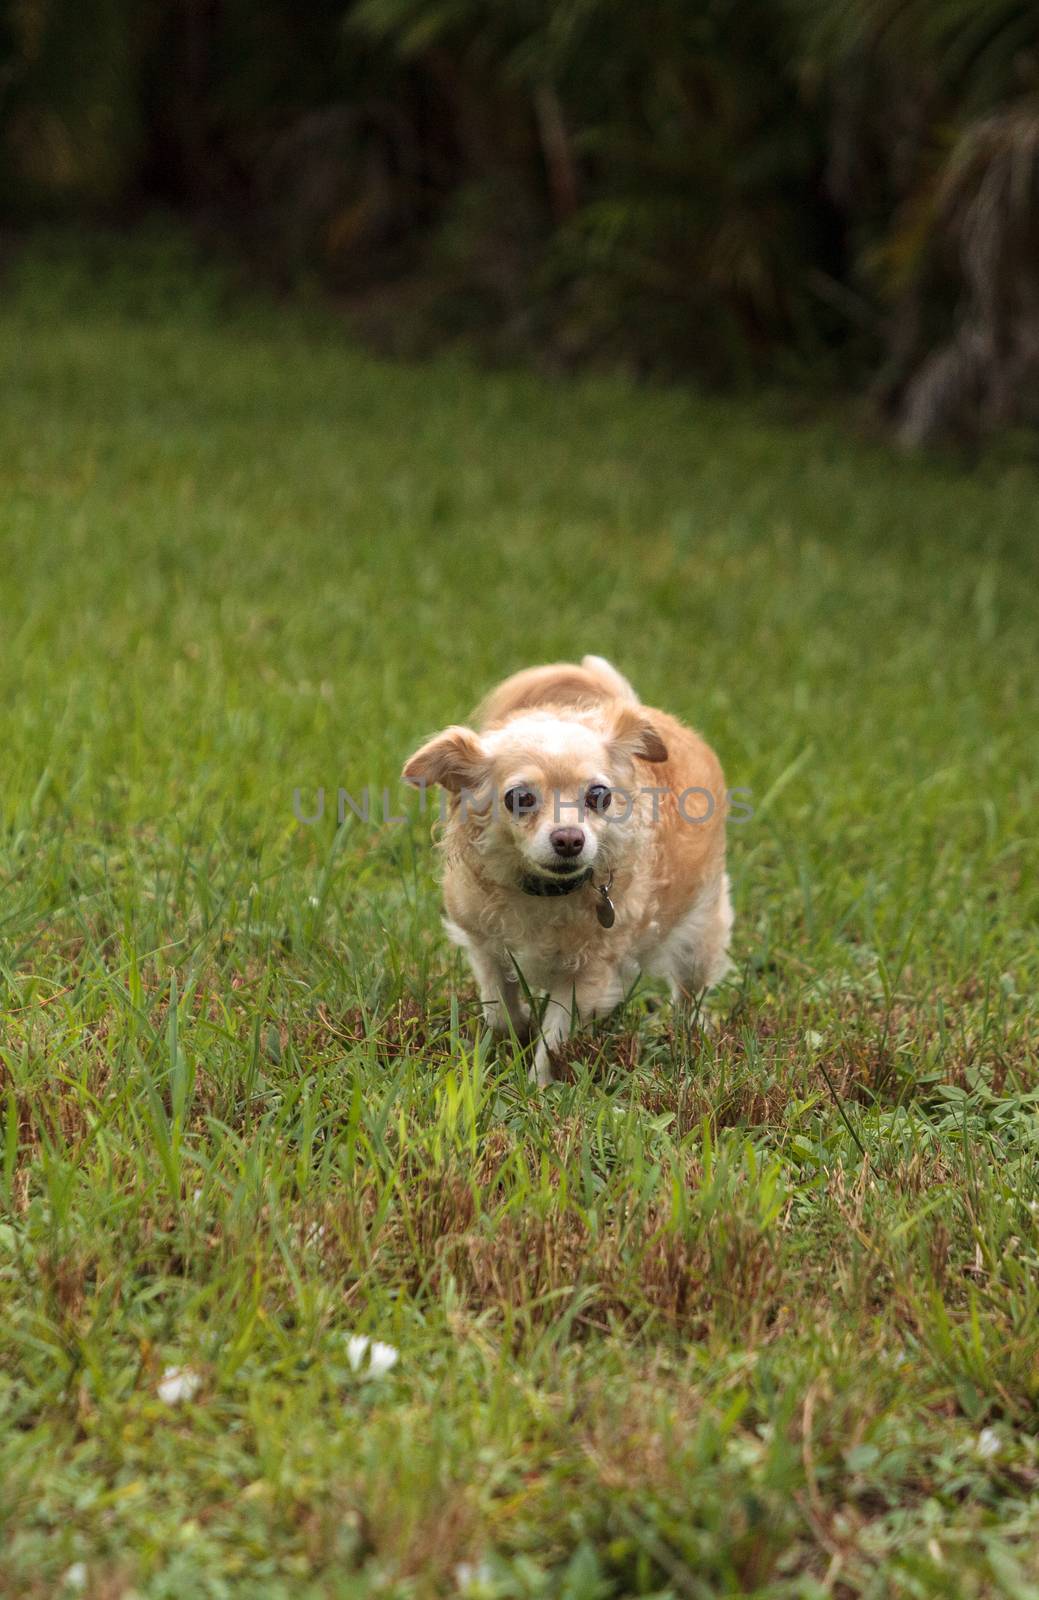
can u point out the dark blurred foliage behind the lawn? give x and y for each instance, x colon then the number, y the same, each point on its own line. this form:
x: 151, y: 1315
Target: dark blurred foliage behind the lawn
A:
x: 835, y: 188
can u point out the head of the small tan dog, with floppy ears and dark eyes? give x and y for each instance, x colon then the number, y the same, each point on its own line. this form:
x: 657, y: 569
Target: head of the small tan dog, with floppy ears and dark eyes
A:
x: 544, y: 796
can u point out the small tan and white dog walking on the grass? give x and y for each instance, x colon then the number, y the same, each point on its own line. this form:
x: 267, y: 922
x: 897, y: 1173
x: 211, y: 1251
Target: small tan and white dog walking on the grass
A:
x: 585, y: 844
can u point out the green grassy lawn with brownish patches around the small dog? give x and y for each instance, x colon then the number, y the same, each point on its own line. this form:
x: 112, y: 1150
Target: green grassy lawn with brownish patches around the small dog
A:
x: 745, y: 1316
